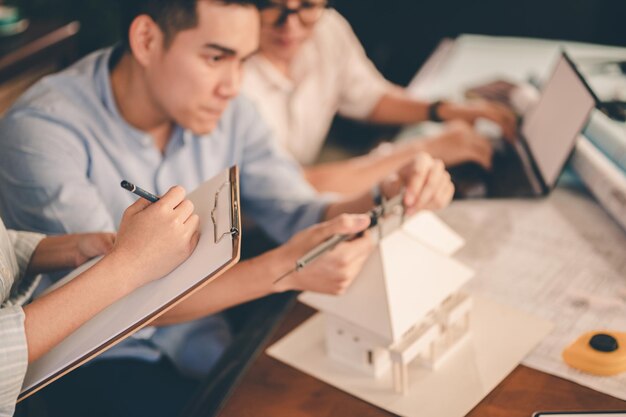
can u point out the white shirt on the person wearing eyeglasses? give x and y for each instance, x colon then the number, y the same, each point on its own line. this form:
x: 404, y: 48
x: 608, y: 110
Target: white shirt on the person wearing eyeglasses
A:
x: 330, y: 74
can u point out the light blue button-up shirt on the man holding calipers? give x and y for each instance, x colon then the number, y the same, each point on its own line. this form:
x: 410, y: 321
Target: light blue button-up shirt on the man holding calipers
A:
x: 64, y: 148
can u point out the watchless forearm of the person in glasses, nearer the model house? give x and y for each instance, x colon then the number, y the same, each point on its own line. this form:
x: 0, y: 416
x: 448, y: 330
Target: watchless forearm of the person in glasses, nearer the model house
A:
x: 357, y: 175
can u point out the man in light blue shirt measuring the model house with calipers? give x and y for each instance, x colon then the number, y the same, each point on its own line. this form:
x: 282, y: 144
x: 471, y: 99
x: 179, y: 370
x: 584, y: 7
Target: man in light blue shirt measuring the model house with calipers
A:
x: 162, y: 110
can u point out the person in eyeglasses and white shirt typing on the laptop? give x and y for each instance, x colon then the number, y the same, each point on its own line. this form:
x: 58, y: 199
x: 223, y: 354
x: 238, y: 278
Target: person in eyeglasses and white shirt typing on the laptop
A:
x: 311, y: 66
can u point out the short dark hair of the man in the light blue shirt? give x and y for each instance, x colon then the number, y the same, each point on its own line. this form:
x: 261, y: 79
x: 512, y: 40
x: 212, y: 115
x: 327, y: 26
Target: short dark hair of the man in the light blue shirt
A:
x: 172, y: 16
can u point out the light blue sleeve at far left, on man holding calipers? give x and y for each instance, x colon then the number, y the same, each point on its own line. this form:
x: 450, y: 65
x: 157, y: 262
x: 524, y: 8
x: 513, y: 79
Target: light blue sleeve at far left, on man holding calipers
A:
x: 44, y: 180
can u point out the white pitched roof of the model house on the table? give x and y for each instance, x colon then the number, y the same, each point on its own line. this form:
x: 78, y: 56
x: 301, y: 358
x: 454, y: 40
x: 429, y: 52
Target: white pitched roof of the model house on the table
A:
x: 409, y: 274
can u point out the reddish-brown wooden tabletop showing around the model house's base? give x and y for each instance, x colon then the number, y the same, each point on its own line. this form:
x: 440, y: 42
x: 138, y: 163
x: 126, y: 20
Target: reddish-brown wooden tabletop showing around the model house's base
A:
x: 271, y: 388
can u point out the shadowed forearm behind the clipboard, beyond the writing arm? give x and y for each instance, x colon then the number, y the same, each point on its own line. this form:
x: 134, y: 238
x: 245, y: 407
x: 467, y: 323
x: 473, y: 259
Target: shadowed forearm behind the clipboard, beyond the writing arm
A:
x: 54, y: 253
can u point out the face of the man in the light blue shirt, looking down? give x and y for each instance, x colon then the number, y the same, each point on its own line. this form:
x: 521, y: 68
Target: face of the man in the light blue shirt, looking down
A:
x: 194, y: 78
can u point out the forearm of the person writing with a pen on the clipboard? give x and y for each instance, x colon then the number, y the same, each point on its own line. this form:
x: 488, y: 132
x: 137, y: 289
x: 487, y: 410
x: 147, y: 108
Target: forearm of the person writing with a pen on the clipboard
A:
x: 56, y: 315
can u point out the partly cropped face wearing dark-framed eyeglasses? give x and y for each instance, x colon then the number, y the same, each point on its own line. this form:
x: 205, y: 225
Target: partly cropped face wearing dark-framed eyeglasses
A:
x: 283, y: 38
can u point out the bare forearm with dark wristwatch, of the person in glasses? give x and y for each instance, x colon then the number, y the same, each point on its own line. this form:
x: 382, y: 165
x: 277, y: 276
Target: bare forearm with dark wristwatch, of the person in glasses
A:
x: 397, y: 108
